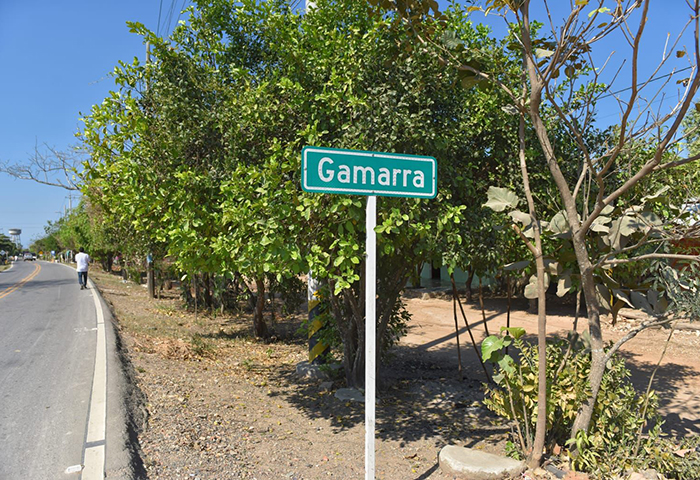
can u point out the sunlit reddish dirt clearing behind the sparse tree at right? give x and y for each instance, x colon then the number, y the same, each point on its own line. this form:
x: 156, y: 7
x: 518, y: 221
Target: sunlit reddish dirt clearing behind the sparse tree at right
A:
x: 677, y: 380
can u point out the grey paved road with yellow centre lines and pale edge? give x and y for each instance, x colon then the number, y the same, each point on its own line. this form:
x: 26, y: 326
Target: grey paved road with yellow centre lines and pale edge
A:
x: 53, y: 387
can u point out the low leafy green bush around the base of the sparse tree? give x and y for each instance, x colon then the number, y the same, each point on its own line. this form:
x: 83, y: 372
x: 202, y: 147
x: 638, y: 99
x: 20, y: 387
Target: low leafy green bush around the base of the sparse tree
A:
x: 614, y: 443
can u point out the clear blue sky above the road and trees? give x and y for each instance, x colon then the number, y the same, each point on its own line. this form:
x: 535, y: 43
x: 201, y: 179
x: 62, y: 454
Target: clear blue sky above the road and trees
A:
x: 55, y: 59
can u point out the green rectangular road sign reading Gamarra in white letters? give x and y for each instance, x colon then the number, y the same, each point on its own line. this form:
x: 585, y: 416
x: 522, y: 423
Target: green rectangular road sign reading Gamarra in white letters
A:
x: 355, y: 172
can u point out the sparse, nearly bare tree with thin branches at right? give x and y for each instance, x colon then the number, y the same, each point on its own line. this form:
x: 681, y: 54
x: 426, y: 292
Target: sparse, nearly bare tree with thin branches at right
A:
x: 562, y: 83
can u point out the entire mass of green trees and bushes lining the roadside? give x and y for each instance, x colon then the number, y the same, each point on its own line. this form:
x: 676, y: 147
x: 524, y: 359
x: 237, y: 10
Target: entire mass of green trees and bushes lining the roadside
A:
x: 193, y: 162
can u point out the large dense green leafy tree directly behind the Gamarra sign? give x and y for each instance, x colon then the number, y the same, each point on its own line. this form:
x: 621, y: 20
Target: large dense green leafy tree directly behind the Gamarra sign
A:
x: 199, y: 149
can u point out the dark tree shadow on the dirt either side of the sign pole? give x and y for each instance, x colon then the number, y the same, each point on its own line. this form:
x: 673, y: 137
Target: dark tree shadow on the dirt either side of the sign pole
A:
x: 420, y: 397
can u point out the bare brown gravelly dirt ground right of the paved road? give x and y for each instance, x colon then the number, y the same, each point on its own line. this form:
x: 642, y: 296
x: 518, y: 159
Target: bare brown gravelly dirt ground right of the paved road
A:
x: 222, y: 405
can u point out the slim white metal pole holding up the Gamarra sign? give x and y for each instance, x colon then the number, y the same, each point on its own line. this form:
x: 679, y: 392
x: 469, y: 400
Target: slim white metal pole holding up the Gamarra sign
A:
x: 370, y: 334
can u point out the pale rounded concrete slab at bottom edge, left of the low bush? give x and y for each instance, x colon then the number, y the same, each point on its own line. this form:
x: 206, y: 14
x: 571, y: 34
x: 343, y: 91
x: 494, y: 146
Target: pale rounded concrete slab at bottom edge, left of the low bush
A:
x: 467, y: 463
